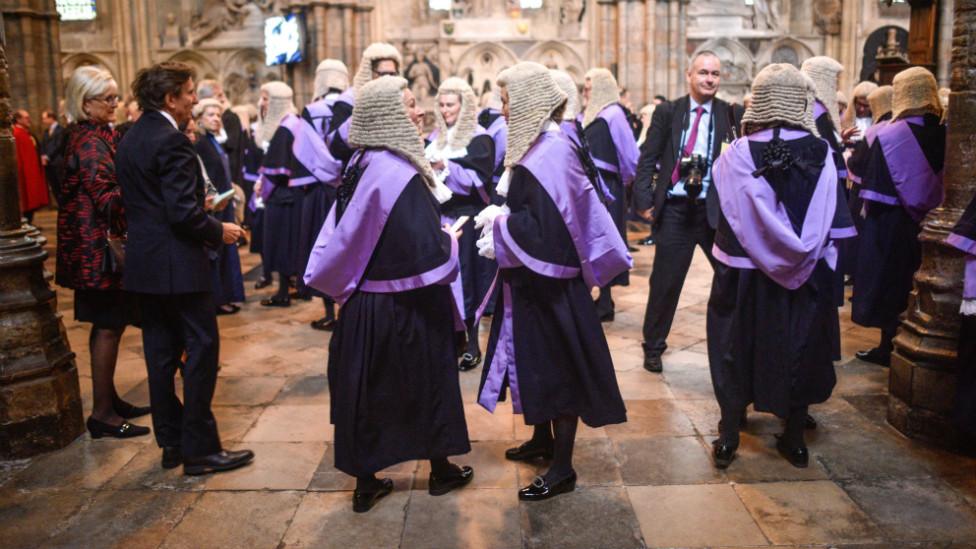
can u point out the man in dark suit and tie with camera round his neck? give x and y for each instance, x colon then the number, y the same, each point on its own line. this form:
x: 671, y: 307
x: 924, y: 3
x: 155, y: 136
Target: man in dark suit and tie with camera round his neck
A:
x: 677, y: 199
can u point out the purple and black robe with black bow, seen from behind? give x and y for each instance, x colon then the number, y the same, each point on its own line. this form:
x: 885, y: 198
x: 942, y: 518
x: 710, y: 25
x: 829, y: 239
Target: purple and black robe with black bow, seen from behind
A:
x: 771, y: 320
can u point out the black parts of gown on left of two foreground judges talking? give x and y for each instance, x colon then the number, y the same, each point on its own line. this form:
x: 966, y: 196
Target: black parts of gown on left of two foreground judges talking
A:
x: 393, y: 376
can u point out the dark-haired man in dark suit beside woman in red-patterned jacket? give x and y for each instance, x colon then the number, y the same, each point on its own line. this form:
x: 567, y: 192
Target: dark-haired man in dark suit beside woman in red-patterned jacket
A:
x: 168, y: 266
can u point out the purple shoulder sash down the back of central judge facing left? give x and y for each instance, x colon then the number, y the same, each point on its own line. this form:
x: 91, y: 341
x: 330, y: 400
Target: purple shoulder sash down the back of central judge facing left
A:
x: 601, y: 251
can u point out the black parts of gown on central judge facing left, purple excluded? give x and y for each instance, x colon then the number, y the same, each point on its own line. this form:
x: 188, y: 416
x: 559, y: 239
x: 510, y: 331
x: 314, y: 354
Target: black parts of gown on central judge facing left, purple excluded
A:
x: 563, y: 362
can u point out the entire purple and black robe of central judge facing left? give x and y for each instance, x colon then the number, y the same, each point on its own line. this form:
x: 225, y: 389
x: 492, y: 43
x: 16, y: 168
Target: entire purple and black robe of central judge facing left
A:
x: 558, y: 242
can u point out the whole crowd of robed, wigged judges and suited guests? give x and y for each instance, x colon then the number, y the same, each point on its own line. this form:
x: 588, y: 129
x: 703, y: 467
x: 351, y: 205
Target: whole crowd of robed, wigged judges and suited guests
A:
x: 515, y: 207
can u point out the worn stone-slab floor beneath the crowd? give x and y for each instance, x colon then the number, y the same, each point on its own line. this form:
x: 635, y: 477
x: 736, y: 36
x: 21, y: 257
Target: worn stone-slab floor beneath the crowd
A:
x: 646, y: 483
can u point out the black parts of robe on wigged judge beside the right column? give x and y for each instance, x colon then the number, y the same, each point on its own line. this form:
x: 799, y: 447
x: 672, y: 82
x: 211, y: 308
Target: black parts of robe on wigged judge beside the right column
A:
x: 889, y: 252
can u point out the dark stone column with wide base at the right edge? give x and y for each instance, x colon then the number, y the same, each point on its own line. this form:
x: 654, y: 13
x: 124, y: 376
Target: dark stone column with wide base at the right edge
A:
x: 923, y: 368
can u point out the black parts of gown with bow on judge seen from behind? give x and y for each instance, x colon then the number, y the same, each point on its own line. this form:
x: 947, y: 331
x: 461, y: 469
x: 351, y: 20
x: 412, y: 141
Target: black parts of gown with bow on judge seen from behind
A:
x: 768, y: 345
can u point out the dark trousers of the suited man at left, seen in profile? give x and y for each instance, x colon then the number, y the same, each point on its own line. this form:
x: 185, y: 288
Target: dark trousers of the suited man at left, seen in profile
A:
x: 170, y: 325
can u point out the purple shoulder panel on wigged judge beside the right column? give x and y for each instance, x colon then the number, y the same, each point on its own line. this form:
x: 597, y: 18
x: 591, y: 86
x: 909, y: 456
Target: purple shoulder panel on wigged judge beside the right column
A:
x: 919, y: 188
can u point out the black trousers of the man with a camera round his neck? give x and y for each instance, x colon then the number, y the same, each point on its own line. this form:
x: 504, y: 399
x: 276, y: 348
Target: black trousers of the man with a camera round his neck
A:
x: 683, y: 225
